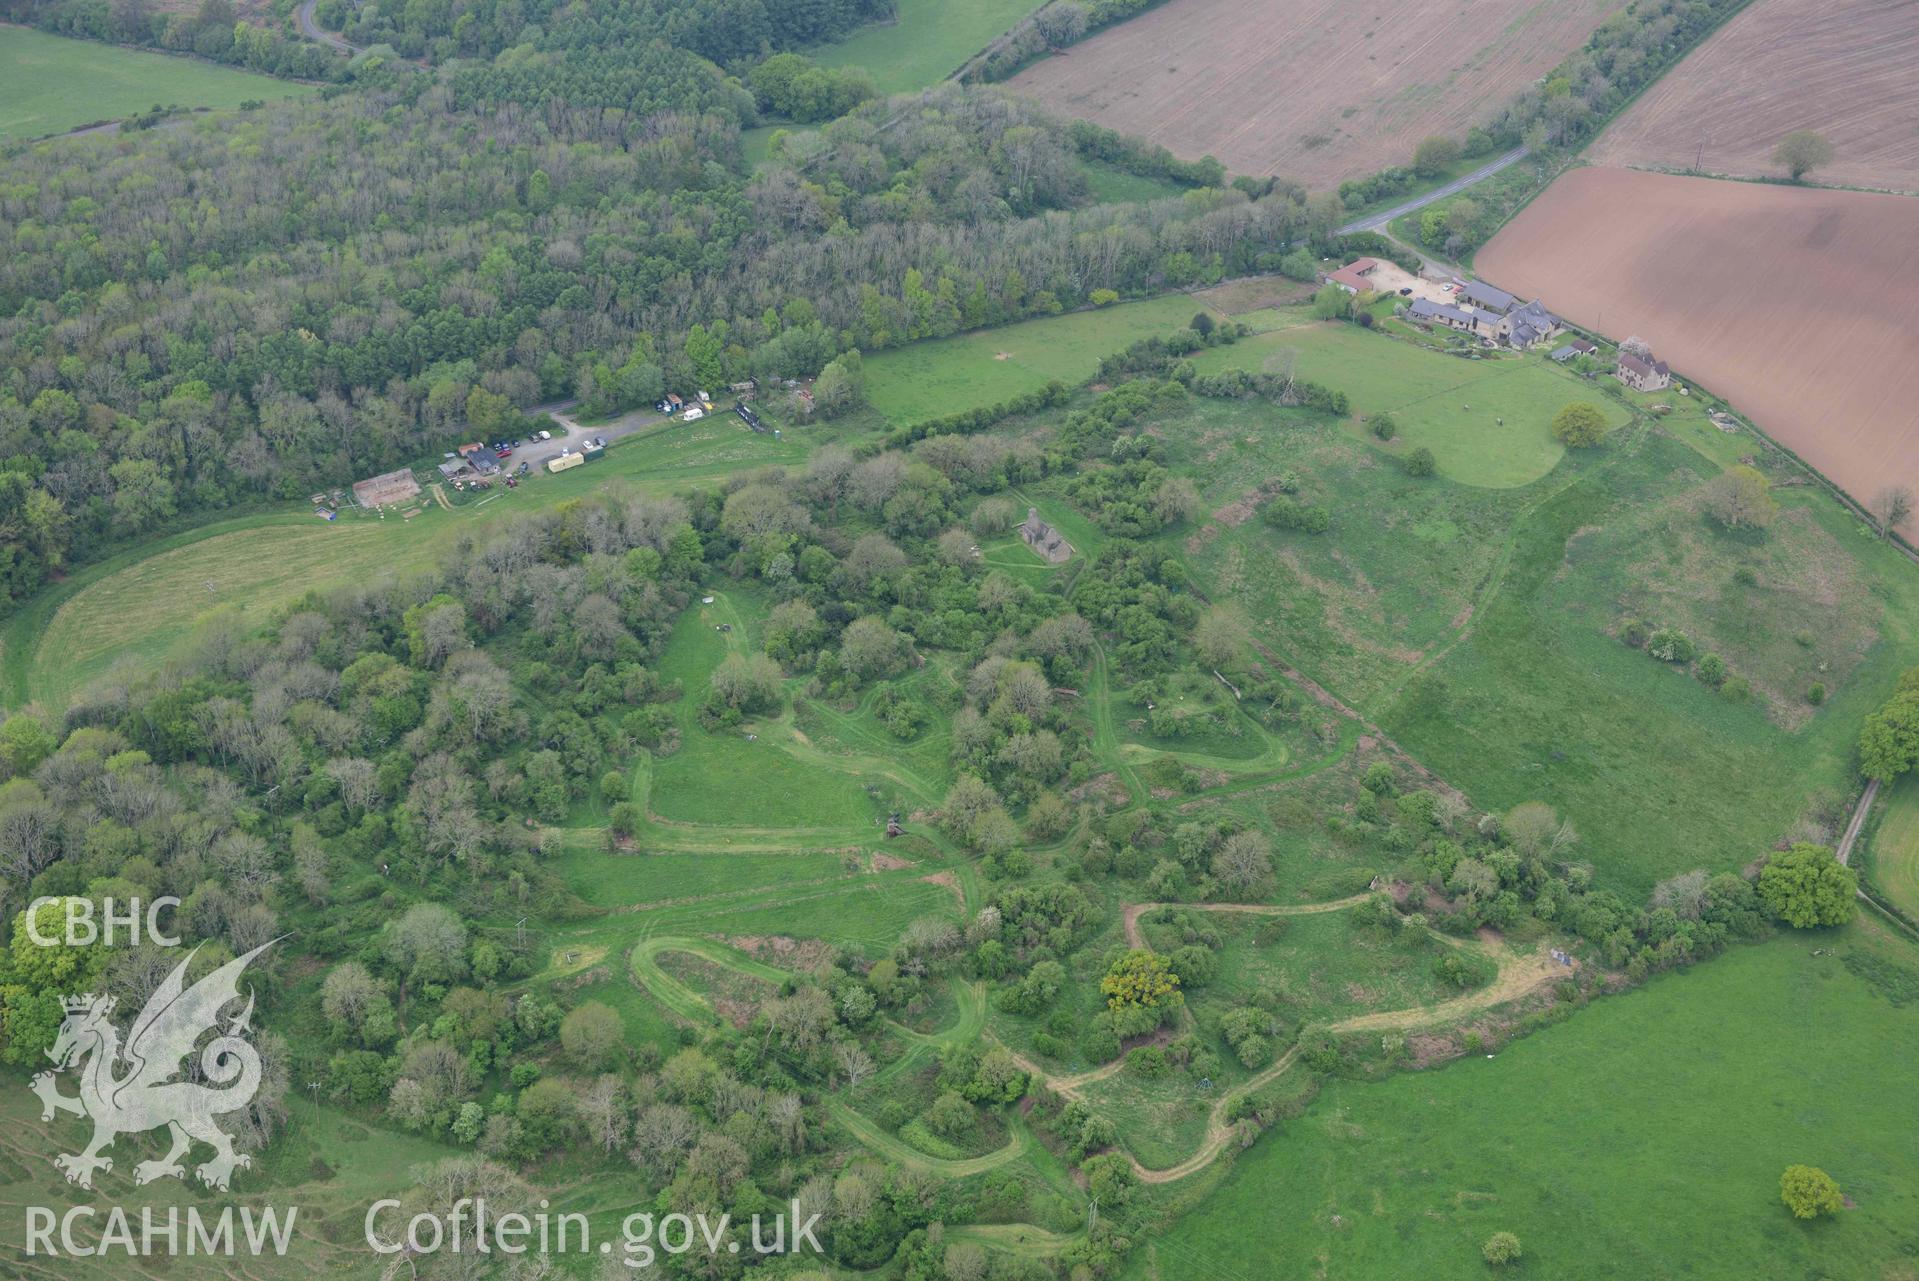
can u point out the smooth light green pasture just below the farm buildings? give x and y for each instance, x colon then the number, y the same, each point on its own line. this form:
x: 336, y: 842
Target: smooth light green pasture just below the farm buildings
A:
x: 1484, y: 421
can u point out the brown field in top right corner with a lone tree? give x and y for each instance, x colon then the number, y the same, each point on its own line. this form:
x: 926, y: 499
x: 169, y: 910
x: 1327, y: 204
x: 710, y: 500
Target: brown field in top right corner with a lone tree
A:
x: 1843, y: 68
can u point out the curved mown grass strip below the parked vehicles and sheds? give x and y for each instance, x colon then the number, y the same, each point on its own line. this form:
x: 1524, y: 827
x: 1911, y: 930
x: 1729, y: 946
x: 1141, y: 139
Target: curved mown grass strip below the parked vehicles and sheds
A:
x: 143, y: 603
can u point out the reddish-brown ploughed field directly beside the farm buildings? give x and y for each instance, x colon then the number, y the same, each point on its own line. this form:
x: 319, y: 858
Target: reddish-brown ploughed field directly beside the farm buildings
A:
x: 1799, y: 306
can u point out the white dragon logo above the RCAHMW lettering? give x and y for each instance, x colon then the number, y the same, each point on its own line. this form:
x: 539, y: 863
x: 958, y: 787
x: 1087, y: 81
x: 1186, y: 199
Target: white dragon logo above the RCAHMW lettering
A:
x: 145, y: 1096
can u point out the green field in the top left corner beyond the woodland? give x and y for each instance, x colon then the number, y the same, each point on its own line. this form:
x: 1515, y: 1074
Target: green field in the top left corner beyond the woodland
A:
x: 57, y: 83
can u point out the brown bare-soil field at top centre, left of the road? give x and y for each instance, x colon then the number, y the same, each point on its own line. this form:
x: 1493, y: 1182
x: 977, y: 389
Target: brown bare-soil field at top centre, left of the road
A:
x: 1314, y: 91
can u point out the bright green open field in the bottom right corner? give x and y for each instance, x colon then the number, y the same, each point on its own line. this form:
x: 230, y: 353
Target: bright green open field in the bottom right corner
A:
x: 1644, y: 1138
